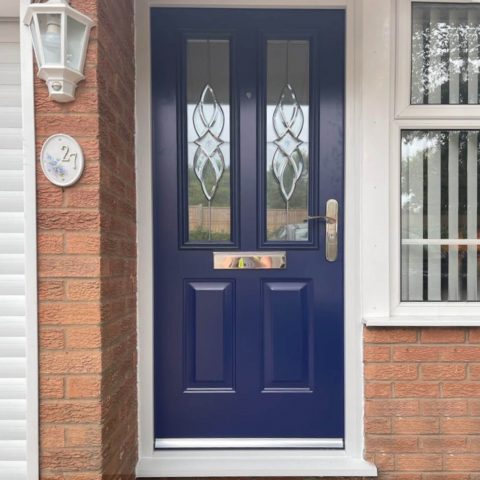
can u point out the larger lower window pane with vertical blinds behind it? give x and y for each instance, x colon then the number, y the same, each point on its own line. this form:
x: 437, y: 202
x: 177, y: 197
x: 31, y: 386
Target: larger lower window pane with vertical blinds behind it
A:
x: 440, y: 218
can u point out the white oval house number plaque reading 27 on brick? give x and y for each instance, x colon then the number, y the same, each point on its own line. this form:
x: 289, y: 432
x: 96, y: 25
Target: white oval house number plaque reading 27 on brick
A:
x: 62, y: 160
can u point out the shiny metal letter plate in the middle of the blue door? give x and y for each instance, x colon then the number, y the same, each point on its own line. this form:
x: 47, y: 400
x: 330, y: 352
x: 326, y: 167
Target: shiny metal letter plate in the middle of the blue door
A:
x: 249, y: 260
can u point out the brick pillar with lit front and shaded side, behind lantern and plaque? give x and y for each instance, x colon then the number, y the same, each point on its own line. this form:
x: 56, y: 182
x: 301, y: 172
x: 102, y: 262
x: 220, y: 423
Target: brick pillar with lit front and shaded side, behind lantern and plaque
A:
x: 87, y: 265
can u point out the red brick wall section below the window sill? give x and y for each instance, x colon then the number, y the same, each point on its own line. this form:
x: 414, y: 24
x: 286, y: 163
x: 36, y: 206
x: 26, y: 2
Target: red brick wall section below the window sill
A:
x: 422, y: 407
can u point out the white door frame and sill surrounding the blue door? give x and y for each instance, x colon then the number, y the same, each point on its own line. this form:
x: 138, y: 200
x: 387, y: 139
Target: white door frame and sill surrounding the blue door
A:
x: 197, y: 463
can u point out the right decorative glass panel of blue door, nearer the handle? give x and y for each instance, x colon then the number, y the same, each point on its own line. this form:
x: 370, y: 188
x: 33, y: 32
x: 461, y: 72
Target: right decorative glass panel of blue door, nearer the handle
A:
x: 287, y: 132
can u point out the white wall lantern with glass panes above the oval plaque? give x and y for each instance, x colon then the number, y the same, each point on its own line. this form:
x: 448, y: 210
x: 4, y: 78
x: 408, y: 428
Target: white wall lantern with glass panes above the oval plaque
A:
x: 60, y: 39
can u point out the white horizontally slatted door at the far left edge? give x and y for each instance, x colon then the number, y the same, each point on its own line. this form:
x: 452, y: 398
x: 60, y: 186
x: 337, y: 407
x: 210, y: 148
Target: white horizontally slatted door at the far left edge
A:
x: 12, y: 262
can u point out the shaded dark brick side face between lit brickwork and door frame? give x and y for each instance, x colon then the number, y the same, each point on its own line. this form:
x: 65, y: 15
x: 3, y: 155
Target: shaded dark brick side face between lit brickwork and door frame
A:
x: 118, y: 240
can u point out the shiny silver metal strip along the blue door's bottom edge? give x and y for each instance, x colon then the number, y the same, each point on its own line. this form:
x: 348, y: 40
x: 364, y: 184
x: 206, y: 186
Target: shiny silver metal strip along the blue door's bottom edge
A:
x: 248, y: 443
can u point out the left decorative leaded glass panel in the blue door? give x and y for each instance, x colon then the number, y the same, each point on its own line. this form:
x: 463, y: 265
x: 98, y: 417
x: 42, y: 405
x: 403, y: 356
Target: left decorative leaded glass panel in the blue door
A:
x: 208, y: 137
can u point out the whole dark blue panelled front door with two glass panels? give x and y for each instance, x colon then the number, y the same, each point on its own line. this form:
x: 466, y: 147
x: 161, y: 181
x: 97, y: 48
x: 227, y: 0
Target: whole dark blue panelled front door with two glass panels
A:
x: 248, y: 159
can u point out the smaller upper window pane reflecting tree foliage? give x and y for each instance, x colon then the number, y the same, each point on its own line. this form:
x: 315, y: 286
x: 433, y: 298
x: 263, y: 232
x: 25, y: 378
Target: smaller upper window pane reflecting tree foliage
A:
x: 445, y: 53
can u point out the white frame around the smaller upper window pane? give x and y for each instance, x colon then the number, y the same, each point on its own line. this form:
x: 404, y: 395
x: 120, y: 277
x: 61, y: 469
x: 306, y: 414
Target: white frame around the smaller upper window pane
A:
x: 403, y: 108
